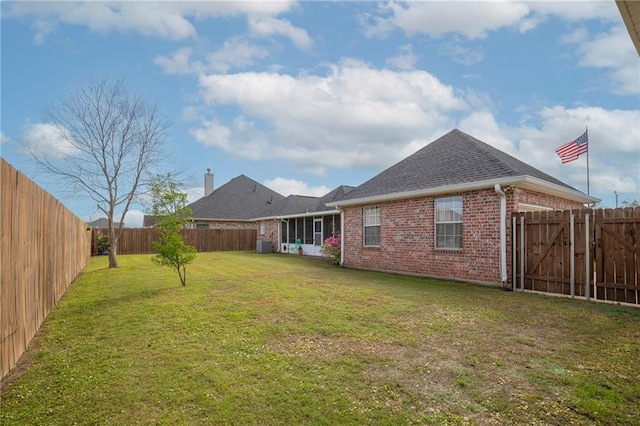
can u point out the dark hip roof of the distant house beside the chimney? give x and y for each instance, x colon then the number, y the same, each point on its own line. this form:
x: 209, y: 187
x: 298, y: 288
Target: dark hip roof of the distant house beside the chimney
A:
x: 241, y: 198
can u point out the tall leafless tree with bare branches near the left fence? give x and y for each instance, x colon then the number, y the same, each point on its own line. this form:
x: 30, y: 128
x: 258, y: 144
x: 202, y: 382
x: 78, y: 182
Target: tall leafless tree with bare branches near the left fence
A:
x: 112, y: 140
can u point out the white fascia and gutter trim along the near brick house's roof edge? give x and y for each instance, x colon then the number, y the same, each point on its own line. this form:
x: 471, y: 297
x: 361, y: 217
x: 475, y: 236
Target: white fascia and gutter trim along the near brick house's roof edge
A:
x: 527, y: 182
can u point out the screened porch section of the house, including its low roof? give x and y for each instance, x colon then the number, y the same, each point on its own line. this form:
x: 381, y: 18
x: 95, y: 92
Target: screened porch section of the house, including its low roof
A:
x: 301, y: 221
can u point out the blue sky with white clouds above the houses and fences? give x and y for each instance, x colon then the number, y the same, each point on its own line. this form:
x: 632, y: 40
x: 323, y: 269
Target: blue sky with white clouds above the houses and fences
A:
x: 304, y: 96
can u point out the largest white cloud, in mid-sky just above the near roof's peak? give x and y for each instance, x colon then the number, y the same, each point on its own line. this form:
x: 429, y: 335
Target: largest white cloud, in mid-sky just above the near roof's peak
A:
x: 355, y: 116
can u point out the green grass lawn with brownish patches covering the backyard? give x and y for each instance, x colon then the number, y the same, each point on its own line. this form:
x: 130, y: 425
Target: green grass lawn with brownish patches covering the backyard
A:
x: 274, y: 340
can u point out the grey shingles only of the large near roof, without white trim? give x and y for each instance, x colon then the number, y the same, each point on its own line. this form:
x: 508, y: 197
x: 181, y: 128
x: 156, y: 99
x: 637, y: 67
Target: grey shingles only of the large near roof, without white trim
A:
x: 454, y: 159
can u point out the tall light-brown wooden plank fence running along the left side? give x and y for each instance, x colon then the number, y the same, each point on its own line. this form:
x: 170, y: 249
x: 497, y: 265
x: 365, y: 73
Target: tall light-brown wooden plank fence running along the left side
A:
x: 44, y: 247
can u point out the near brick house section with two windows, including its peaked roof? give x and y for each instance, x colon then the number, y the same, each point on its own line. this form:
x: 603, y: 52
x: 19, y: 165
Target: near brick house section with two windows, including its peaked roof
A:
x: 444, y: 211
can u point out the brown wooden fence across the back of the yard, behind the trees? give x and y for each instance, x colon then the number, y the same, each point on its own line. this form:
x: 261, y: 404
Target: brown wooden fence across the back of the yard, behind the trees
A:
x: 138, y: 240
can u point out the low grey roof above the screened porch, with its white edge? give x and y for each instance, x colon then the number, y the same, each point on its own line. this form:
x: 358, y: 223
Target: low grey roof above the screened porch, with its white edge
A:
x: 298, y: 205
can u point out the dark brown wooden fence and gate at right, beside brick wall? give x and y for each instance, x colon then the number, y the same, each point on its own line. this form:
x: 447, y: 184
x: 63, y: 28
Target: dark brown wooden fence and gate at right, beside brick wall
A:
x: 588, y: 253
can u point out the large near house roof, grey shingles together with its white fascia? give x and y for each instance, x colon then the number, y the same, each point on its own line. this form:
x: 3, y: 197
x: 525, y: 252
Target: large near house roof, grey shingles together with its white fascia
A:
x: 456, y: 162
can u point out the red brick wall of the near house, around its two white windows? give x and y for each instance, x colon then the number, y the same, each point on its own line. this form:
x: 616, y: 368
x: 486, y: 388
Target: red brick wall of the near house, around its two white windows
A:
x: 407, y: 236
